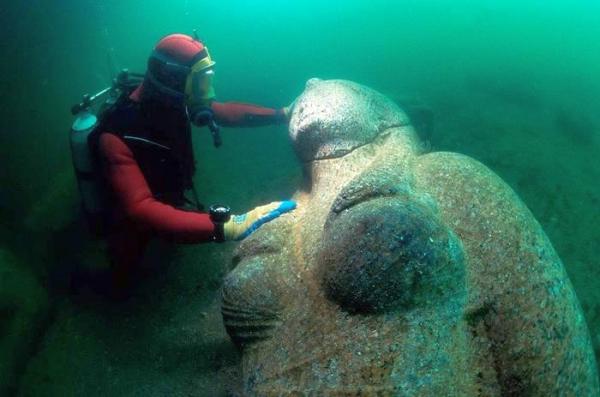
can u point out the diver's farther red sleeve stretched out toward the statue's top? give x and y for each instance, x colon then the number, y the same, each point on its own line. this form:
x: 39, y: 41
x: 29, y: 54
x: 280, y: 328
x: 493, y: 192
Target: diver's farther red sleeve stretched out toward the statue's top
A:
x: 234, y: 114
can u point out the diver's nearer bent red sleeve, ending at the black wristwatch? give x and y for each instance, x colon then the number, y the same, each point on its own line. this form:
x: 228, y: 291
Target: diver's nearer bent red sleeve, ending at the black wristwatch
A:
x: 137, y: 203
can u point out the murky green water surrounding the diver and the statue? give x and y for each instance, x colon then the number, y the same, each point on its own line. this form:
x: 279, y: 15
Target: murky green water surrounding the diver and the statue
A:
x: 516, y: 85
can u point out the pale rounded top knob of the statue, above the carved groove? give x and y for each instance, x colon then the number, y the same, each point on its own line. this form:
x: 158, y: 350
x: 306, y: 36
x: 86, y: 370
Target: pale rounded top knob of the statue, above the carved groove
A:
x: 332, y: 118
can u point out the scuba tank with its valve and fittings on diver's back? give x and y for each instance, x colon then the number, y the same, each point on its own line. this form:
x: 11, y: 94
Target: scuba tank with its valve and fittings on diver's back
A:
x: 84, y: 163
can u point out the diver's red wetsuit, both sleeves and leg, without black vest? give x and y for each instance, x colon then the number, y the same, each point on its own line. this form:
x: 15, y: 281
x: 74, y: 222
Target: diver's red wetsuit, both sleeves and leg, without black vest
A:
x: 137, y: 216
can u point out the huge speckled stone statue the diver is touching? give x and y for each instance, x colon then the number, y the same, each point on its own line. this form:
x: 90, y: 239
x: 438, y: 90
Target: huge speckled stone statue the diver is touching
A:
x: 401, y: 272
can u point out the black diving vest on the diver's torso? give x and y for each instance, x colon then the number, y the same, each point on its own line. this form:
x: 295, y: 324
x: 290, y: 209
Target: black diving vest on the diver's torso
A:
x: 161, y: 143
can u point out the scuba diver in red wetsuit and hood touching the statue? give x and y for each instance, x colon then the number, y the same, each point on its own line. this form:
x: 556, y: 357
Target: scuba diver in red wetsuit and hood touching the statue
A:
x: 142, y: 146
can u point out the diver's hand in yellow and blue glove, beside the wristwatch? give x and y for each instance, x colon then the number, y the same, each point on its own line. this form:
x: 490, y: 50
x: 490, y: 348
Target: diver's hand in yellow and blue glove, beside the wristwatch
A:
x: 238, y: 227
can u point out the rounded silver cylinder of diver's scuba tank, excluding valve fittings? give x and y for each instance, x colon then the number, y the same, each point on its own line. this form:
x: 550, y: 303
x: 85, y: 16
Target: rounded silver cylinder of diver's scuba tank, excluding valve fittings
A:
x: 83, y: 163
